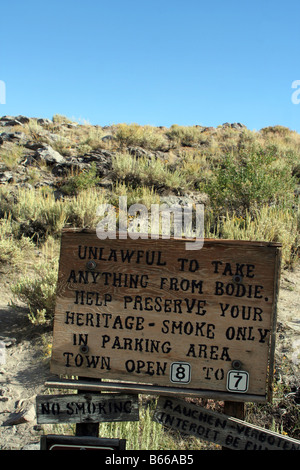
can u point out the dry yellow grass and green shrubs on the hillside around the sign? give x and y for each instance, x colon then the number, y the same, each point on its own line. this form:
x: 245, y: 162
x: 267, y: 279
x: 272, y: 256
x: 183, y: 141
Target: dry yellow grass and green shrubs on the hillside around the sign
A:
x: 251, y: 179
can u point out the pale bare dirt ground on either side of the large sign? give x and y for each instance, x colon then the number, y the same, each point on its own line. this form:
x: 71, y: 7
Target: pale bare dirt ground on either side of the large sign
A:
x: 23, y: 375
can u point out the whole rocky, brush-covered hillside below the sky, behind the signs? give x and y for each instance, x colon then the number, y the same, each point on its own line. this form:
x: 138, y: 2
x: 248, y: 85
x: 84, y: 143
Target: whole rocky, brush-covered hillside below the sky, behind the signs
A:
x: 53, y: 173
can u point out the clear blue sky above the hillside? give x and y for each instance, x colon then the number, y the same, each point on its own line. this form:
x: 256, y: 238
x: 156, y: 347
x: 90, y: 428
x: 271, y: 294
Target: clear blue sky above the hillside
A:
x: 152, y: 62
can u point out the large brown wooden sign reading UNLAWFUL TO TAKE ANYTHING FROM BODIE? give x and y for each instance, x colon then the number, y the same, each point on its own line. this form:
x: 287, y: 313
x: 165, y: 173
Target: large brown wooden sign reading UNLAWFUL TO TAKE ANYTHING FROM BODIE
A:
x: 151, y: 312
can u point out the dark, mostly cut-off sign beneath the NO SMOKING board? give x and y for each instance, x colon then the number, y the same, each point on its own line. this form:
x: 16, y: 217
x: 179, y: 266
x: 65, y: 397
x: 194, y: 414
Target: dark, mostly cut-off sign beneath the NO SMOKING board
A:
x: 54, y: 442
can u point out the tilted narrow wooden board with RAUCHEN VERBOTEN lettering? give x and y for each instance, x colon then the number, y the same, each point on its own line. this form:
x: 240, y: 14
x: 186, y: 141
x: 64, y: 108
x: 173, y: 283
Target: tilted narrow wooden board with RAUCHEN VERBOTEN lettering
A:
x: 218, y: 428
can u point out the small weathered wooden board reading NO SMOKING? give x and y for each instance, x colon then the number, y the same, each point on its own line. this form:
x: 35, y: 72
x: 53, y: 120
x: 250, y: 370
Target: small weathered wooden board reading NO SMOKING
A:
x: 86, y: 408
